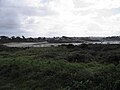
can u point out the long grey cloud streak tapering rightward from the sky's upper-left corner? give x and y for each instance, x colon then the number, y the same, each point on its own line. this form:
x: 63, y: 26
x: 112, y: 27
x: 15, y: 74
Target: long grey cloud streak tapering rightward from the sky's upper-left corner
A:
x: 26, y: 10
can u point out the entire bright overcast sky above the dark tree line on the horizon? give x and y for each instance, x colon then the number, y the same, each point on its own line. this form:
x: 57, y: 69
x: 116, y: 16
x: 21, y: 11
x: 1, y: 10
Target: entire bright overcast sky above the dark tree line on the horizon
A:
x: 60, y: 17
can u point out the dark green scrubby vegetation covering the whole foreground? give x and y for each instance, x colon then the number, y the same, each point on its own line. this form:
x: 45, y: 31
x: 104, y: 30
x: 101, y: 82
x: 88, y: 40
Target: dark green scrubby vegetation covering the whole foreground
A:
x: 66, y: 67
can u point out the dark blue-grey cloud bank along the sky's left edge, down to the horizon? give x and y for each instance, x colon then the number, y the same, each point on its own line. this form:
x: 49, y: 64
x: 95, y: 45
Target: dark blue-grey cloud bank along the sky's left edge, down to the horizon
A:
x: 9, y: 19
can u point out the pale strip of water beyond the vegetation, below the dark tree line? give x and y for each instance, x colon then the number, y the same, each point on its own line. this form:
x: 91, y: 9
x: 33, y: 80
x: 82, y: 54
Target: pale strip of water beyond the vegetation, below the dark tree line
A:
x: 40, y: 44
